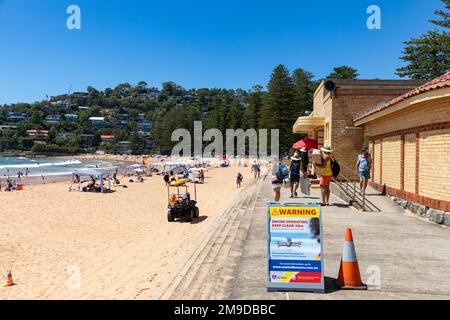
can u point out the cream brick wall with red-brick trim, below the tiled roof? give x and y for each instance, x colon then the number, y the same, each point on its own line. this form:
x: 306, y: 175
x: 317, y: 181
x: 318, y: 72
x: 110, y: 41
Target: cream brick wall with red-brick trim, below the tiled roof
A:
x: 422, y: 173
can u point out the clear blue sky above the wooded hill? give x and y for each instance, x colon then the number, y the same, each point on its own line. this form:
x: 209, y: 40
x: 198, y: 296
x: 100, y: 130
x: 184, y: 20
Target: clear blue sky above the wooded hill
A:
x: 196, y: 43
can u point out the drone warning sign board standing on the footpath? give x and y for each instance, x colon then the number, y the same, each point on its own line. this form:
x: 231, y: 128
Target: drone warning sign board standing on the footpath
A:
x: 295, y: 248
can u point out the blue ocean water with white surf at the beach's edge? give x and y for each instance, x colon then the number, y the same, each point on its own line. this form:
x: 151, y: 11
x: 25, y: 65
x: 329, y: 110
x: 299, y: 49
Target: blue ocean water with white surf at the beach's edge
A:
x: 47, y: 166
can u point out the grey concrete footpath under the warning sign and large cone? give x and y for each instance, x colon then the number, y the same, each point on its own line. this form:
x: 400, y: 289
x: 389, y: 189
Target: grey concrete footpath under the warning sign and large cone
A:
x: 411, y: 254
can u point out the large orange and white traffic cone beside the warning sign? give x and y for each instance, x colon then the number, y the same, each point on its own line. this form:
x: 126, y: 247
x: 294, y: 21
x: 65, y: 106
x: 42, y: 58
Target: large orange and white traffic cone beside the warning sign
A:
x: 349, y: 276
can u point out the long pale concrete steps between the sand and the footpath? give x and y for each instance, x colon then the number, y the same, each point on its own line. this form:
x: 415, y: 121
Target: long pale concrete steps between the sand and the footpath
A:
x: 200, y: 274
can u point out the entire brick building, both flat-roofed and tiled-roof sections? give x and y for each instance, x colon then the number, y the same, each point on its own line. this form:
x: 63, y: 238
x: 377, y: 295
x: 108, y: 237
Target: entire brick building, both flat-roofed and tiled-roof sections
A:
x: 405, y: 124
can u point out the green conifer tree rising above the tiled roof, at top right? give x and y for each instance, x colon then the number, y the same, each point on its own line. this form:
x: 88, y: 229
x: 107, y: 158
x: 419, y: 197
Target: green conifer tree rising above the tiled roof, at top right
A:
x: 428, y: 56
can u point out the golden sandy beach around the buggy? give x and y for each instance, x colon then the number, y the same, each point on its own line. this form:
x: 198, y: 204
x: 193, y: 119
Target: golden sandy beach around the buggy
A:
x: 119, y: 243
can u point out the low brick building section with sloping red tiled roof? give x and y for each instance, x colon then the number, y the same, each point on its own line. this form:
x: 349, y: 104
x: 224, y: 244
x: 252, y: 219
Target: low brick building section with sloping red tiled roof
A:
x: 409, y: 139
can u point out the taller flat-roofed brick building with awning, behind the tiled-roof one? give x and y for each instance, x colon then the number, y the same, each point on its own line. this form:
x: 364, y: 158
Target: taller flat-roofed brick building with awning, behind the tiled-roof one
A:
x: 335, y: 104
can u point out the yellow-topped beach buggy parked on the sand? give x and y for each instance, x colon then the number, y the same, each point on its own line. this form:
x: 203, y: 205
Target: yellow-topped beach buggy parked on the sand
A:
x: 181, y: 206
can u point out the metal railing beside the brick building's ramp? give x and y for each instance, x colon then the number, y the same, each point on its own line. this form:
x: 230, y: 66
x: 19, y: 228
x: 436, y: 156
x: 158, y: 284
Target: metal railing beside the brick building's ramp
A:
x: 353, y: 191
